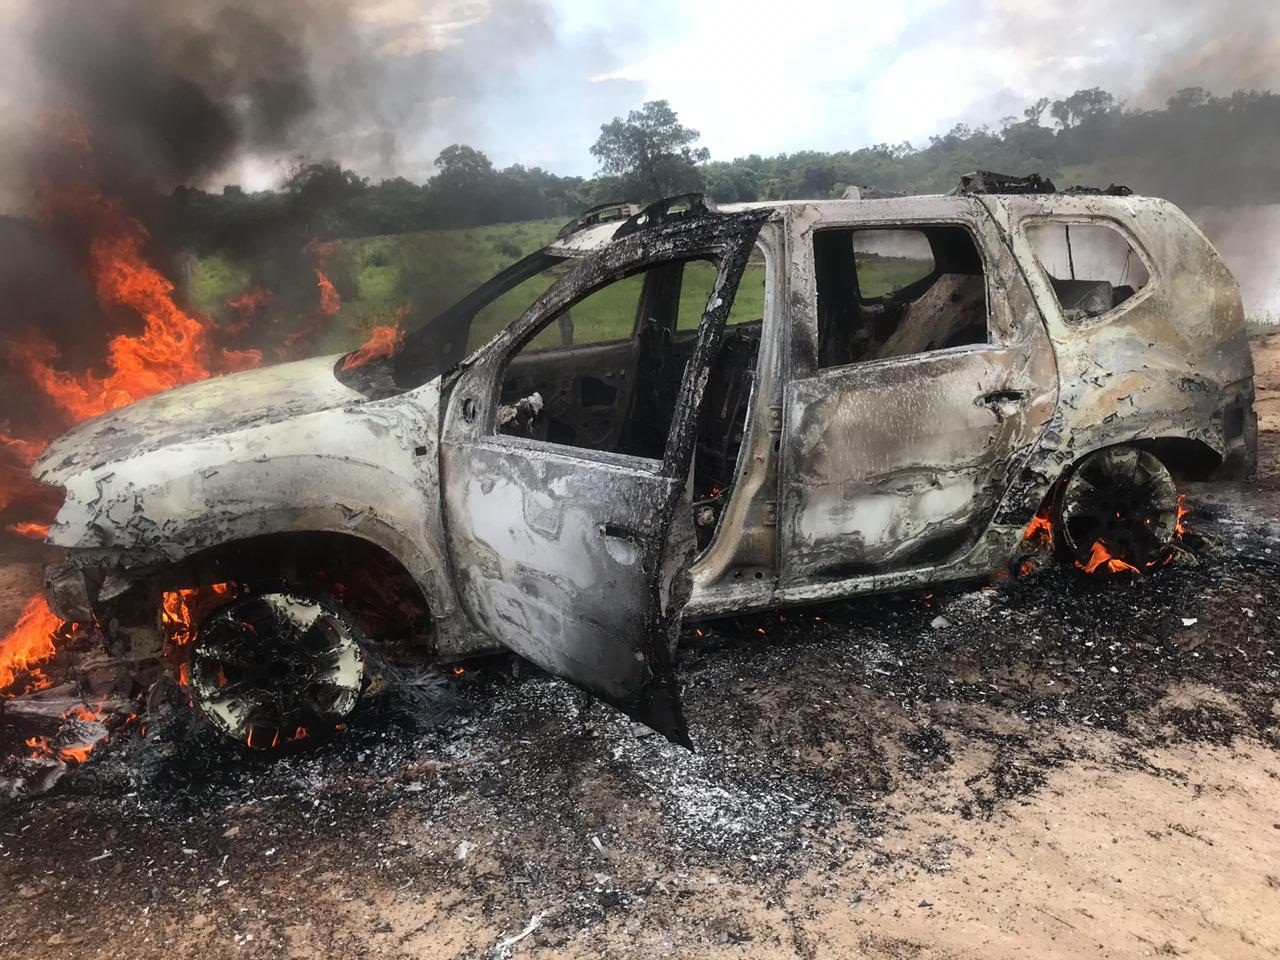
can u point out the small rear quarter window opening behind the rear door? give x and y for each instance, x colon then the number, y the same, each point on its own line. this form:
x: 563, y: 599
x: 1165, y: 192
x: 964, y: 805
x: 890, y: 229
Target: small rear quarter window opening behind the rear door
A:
x: 1091, y: 267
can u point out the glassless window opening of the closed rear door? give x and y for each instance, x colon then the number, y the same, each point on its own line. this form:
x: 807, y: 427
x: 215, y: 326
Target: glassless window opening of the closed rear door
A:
x: 892, y: 292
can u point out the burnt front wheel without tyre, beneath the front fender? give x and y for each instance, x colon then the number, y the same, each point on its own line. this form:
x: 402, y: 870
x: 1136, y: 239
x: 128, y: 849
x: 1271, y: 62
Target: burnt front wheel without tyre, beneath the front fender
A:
x: 277, y: 668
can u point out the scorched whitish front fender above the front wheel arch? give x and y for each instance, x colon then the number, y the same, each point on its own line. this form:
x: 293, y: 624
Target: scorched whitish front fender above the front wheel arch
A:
x: 369, y: 470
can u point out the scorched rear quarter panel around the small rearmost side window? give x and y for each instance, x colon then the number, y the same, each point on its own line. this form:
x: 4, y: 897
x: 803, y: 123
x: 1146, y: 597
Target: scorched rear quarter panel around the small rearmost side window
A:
x: 1168, y: 363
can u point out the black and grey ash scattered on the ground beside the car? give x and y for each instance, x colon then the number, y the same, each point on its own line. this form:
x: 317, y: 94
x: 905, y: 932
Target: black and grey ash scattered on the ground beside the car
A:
x: 819, y: 732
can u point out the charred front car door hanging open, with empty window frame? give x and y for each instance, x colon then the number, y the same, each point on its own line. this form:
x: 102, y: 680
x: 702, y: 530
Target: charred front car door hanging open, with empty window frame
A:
x: 577, y: 557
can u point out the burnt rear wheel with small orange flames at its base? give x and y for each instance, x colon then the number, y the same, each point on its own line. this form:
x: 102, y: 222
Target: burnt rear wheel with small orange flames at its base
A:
x: 1119, y: 511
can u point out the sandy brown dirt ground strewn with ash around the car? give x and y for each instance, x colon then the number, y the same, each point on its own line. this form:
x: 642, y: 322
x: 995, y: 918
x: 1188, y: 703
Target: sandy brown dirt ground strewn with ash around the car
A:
x: 1059, y: 767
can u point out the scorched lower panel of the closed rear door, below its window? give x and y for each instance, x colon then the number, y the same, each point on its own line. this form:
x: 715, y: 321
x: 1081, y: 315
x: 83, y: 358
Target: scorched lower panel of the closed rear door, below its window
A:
x: 898, y: 463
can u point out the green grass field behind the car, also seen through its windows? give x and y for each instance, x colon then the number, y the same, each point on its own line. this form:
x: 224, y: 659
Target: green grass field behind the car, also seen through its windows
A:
x: 428, y: 272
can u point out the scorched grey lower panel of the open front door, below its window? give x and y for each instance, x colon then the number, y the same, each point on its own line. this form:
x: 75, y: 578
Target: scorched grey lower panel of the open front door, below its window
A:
x: 551, y: 534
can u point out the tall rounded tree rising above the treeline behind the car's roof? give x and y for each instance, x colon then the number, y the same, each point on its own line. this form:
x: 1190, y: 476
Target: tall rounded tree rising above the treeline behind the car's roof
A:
x: 652, y: 152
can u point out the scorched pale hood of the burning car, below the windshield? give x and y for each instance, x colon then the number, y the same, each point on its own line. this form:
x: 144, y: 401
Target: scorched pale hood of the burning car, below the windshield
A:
x: 203, y: 410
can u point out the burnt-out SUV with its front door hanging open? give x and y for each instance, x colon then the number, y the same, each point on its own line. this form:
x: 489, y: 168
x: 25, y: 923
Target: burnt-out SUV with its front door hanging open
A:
x: 673, y: 413
